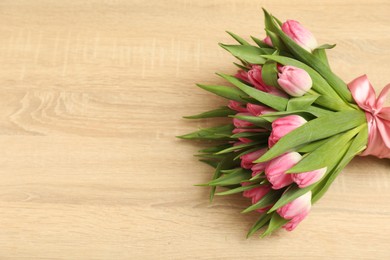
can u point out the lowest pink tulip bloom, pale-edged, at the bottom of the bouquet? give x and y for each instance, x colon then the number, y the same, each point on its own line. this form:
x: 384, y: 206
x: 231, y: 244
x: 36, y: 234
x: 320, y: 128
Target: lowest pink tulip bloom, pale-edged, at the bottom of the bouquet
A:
x: 296, y: 210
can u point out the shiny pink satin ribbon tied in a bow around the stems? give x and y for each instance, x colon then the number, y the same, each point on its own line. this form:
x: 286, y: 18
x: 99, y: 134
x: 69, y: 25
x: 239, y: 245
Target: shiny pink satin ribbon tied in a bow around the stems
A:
x: 378, y: 117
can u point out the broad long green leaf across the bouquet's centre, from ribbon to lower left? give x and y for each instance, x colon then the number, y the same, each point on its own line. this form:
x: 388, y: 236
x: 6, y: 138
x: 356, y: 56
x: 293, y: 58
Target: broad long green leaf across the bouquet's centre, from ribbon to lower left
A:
x: 314, y: 130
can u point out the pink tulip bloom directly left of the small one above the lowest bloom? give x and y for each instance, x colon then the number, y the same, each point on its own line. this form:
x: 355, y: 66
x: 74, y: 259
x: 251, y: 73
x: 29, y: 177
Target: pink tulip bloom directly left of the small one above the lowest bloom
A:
x: 275, y: 171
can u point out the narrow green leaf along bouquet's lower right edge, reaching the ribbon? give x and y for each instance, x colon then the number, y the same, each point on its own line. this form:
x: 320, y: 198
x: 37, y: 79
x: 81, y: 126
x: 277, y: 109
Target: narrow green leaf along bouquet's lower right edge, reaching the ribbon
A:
x: 357, y: 146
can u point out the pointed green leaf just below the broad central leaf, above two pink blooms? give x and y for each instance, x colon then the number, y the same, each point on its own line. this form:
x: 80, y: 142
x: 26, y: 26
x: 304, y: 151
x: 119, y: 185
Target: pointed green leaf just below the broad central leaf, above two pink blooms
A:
x: 326, y: 155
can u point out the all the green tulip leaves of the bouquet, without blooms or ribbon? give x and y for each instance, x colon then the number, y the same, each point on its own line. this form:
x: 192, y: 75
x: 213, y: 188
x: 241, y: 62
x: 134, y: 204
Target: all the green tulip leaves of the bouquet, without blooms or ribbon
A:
x: 336, y: 130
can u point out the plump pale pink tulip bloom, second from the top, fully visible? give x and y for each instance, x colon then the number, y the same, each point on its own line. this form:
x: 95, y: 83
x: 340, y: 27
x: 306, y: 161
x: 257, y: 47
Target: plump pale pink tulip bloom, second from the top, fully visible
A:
x: 295, y: 81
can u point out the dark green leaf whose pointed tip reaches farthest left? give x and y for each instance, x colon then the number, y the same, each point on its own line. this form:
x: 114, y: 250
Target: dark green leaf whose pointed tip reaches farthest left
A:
x: 212, y: 133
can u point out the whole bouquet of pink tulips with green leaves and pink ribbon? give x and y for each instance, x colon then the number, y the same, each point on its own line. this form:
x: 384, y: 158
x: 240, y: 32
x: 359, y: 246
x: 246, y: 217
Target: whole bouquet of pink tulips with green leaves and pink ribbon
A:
x: 294, y: 125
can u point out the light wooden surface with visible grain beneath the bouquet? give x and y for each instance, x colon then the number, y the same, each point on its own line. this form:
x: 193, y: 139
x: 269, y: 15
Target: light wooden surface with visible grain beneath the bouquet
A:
x: 91, y: 97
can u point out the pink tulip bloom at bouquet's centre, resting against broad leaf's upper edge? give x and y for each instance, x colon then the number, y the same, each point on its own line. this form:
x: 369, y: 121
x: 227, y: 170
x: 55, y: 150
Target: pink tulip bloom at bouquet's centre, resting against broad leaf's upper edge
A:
x: 283, y: 126
